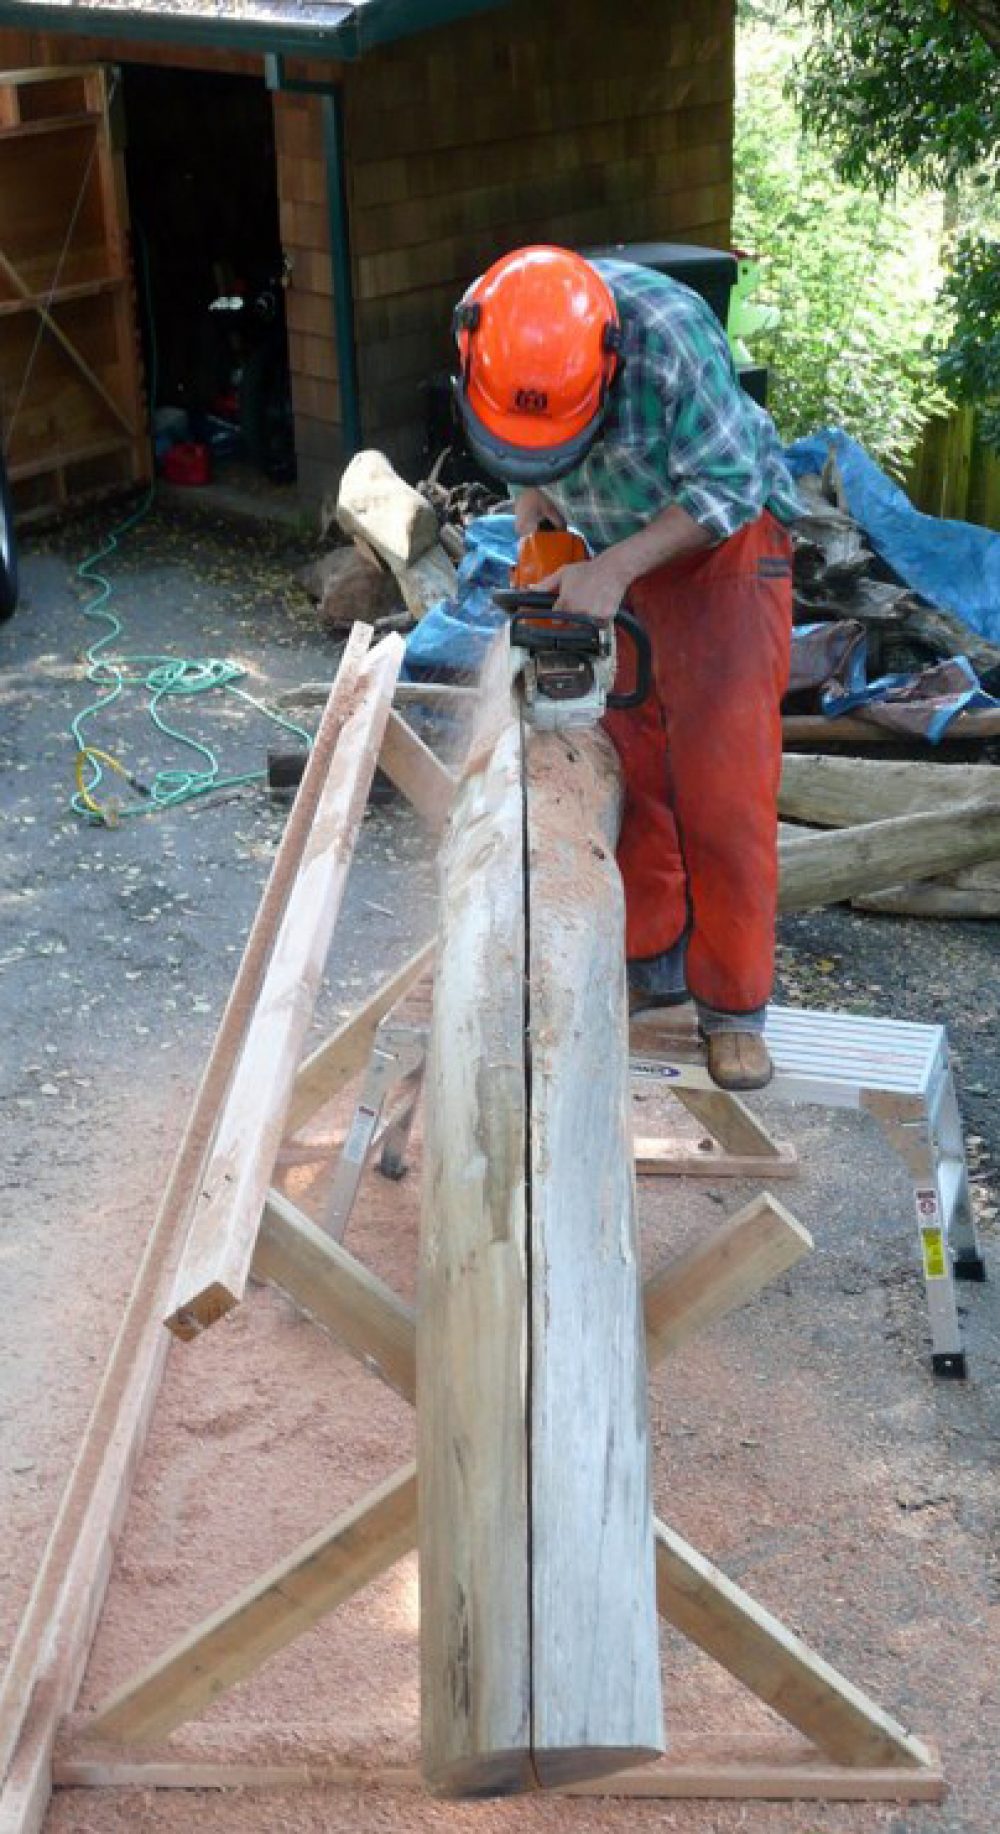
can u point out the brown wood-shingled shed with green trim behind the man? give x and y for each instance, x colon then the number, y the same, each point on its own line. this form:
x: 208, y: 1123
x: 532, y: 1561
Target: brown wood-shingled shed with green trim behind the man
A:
x: 414, y: 142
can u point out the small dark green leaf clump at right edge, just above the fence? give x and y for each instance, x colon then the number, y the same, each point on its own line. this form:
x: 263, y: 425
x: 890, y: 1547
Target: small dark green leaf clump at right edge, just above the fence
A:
x: 970, y: 366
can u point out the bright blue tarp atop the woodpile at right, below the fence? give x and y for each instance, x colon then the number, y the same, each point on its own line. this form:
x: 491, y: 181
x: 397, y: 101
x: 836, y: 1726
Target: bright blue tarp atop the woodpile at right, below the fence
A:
x: 953, y: 566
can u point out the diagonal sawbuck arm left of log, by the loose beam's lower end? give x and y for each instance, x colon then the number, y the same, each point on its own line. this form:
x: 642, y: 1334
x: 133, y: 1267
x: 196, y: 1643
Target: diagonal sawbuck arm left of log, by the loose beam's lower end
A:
x: 339, y: 1292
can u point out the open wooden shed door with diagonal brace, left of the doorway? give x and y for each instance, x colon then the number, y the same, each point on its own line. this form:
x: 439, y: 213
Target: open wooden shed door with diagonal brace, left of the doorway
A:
x: 72, y: 410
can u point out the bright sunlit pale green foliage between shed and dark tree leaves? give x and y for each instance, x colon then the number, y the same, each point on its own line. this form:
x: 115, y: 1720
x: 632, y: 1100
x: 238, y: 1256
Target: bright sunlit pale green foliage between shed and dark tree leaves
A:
x: 856, y: 309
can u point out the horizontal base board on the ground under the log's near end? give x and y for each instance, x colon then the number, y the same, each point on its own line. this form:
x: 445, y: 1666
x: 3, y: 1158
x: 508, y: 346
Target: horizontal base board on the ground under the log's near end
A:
x: 753, y: 1778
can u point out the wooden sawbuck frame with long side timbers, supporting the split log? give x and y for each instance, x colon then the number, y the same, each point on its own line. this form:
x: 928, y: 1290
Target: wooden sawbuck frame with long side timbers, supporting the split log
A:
x: 223, y: 1221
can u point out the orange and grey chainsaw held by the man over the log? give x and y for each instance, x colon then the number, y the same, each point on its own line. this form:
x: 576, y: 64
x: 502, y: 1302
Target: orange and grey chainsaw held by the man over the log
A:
x: 570, y: 661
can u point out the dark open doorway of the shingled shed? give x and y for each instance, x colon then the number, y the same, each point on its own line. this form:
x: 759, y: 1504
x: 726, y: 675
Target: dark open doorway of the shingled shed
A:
x: 203, y: 193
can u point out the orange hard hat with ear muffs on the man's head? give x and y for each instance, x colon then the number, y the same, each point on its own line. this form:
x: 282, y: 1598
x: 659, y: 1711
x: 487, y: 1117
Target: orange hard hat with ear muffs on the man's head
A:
x: 540, y: 346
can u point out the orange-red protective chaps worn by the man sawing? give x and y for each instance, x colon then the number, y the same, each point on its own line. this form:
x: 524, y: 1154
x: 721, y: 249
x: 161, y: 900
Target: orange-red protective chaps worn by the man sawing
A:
x: 702, y: 764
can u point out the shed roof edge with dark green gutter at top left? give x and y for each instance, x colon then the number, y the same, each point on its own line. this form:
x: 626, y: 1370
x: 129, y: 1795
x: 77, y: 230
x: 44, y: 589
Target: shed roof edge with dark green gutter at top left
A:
x: 324, y: 30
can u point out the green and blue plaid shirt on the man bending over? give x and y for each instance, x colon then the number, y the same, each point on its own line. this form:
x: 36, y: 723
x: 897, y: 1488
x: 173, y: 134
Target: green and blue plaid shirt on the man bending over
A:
x: 680, y: 428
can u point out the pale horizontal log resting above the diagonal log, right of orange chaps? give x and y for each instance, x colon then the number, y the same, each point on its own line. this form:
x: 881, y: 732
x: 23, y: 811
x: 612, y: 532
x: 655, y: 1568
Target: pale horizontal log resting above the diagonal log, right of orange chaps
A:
x: 849, y: 791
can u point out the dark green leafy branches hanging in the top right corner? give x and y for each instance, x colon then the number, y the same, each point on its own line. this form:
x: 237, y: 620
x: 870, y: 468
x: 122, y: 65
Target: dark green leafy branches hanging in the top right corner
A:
x: 898, y: 87
